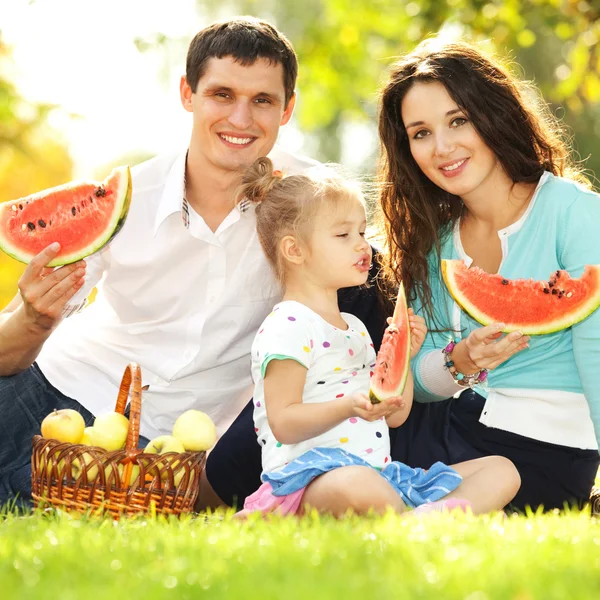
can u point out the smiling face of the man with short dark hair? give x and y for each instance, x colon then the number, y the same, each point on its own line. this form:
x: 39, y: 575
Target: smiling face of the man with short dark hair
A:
x: 237, y: 111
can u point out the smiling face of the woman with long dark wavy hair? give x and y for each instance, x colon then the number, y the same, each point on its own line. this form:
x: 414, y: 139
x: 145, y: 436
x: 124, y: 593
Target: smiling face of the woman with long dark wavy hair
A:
x: 444, y: 142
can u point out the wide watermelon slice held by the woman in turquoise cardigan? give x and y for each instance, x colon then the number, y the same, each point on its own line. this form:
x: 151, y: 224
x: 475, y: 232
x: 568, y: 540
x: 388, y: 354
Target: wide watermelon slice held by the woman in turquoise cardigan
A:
x: 532, y: 307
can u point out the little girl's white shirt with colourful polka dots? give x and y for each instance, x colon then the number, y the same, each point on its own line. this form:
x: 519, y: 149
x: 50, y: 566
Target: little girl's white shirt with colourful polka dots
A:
x: 339, y: 363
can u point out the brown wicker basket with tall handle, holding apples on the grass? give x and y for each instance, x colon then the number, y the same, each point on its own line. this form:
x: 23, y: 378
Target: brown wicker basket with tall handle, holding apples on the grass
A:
x: 74, y: 477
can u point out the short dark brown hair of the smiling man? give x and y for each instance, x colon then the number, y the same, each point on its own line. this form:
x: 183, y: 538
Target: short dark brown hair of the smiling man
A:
x: 245, y: 39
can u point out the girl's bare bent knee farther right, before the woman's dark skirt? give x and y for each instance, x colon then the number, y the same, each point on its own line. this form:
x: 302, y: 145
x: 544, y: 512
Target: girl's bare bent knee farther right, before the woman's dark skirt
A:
x: 489, y: 483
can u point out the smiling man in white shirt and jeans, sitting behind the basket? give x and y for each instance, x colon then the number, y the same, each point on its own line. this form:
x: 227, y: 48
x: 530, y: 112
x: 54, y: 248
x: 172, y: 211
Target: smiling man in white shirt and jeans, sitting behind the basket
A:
x: 183, y: 287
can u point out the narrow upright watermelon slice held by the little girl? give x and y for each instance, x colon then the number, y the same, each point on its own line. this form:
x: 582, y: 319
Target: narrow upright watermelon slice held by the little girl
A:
x: 393, y: 359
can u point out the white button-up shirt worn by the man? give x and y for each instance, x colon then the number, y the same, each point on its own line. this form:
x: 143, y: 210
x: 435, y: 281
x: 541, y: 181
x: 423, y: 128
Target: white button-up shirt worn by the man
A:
x: 184, y: 303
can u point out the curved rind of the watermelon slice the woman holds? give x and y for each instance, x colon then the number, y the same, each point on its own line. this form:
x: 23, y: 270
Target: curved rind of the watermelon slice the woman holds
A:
x: 450, y: 269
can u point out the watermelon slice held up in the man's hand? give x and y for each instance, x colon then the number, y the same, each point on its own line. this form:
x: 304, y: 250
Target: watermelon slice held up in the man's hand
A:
x: 81, y: 216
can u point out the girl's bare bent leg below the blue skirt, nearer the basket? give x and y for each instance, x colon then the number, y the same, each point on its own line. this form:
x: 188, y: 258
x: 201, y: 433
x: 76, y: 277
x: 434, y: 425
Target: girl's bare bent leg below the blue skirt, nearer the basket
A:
x: 359, y: 489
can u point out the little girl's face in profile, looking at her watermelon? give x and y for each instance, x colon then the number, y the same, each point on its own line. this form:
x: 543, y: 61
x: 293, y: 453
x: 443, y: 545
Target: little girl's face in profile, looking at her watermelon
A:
x: 339, y: 255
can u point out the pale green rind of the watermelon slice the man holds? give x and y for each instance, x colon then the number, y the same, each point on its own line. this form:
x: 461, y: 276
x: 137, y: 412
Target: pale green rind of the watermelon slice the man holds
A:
x: 123, y: 192
